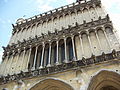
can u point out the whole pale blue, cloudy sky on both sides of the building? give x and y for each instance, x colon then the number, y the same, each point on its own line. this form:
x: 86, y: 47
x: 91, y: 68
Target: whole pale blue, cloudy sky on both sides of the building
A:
x: 11, y: 10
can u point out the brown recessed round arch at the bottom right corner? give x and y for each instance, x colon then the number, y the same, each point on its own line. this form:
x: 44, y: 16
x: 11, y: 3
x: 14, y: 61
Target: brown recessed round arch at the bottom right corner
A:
x: 105, y: 80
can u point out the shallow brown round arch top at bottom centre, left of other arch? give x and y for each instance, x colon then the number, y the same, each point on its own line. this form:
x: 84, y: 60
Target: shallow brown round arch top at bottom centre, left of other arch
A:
x: 51, y: 84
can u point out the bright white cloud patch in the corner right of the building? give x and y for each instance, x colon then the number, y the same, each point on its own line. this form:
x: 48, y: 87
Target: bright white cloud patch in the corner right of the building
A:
x: 112, y: 7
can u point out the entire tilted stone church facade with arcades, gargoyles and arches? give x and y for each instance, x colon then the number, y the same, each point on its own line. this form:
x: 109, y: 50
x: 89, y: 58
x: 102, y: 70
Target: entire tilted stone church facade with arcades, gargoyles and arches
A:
x: 74, y: 47
